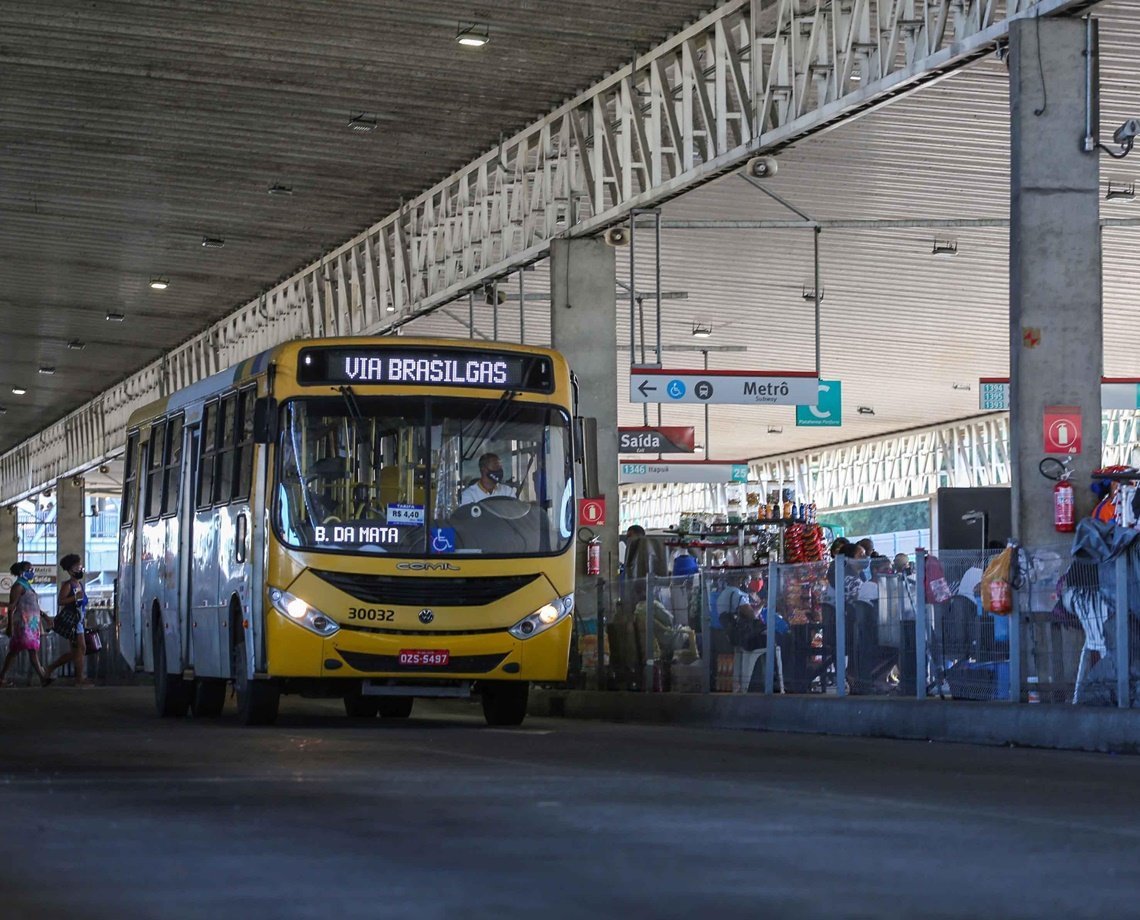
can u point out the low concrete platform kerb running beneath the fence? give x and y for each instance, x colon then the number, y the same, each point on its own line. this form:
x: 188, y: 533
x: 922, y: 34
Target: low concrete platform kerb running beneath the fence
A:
x: 1061, y: 728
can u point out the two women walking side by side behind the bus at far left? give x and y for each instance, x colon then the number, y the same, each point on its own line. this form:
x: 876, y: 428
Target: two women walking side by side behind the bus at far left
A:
x: 28, y: 625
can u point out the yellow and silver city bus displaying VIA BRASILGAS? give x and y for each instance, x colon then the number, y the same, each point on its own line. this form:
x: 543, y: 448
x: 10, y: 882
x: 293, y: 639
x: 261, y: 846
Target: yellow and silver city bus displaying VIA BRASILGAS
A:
x: 374, y: 519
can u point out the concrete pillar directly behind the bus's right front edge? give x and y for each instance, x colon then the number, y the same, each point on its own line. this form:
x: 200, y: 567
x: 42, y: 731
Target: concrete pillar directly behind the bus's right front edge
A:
x: 584, y: 329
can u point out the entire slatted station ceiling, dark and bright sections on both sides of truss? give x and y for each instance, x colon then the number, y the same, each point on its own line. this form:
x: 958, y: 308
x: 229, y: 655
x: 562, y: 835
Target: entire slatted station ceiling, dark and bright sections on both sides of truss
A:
x: 134, y: 132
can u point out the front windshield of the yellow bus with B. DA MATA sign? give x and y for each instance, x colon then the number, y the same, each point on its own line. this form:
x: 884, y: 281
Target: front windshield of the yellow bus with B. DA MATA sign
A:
x: 425, y: 477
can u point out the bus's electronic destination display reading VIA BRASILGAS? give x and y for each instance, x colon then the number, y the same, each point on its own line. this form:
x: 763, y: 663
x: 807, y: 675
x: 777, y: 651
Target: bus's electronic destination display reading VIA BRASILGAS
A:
x: 424, y: 367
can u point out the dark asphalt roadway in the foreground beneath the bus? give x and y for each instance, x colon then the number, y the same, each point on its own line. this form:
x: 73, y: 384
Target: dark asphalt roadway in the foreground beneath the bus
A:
x: 110, y: 812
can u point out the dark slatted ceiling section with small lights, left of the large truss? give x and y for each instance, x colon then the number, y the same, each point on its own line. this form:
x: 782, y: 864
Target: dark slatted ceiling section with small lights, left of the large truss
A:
x: 131, y: 131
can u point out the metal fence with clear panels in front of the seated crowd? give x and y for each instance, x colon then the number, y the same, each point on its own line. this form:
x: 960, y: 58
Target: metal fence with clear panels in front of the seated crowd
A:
x: 922, y: 633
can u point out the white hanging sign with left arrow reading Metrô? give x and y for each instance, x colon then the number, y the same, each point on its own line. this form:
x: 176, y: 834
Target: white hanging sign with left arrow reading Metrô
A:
x: 761, y: 388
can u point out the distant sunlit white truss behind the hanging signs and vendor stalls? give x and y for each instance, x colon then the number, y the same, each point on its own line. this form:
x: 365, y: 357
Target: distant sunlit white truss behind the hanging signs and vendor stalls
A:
x: 907, y: 468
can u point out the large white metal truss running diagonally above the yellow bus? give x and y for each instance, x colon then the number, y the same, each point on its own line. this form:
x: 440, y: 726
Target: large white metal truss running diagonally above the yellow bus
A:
x: 750, y: 78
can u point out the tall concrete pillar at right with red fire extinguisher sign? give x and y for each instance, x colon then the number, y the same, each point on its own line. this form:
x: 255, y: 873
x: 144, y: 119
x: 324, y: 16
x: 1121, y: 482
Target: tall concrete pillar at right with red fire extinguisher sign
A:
x: 1056, y: 316
